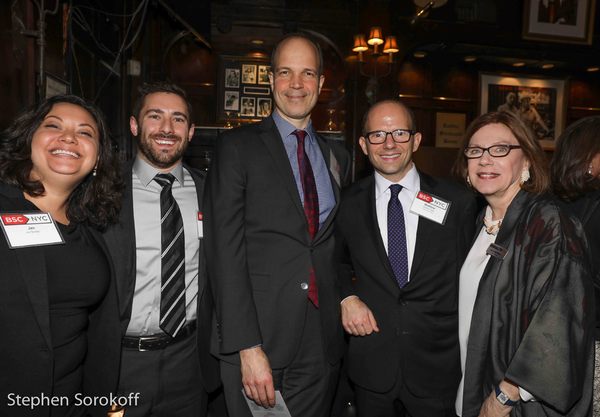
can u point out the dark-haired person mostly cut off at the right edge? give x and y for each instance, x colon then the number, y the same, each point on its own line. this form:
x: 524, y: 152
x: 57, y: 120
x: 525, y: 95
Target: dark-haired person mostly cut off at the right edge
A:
x: 575, y: 174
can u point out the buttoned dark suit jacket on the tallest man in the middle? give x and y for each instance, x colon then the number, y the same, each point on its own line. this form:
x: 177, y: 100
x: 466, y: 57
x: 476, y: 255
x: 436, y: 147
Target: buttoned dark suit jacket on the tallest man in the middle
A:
x: 259, y: 251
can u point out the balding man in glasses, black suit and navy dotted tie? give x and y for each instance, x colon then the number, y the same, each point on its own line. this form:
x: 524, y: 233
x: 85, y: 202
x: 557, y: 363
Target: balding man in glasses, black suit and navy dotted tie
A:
x: 407, y: 235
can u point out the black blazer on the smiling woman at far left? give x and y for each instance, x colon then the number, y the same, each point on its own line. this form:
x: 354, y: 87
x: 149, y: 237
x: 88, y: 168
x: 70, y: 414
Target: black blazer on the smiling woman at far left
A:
x: 26, y: 357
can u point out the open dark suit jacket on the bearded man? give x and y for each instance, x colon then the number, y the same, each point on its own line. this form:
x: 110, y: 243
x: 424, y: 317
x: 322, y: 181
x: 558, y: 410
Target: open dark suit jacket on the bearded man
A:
x: 121, y: 241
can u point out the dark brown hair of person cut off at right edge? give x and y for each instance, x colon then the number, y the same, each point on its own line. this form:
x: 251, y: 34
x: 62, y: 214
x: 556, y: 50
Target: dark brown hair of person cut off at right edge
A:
x: 575, y: 149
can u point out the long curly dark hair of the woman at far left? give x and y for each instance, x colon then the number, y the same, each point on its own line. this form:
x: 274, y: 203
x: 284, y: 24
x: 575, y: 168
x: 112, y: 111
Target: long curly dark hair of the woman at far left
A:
x: 97, y: 199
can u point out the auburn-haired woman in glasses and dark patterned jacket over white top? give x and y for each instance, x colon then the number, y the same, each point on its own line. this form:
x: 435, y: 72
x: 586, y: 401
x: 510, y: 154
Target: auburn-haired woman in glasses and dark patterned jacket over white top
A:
x: 526, y: 310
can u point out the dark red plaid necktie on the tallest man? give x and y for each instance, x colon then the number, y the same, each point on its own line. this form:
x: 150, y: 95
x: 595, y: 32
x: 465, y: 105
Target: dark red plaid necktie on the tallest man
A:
x: 311, y: 205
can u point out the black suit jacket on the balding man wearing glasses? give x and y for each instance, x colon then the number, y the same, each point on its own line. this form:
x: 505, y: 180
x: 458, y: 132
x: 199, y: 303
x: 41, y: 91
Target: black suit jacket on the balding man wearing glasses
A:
x: 418, y: 337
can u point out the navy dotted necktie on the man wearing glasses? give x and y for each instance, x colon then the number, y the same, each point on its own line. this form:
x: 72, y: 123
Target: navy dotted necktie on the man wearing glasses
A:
x: 397, y: 252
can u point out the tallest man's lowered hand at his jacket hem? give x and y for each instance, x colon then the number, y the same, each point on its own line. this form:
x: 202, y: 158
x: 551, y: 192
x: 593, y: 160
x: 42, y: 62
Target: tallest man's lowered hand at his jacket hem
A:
x: 257, y: 378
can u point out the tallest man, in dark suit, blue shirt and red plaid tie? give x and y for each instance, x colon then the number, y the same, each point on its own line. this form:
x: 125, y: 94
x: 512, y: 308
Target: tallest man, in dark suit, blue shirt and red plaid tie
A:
x: 272, y: 193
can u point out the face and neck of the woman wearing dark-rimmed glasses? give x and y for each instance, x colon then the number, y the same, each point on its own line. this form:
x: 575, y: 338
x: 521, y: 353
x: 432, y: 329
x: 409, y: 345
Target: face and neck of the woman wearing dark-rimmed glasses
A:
x: 496, y: 178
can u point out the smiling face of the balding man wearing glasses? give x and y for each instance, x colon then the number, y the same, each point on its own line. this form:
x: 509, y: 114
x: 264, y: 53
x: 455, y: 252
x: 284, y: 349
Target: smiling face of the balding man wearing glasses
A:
x: 392, y: 160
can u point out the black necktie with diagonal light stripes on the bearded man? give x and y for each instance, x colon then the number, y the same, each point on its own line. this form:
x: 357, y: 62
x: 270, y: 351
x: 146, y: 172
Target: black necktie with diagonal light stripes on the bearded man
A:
x: 172, y: 289
